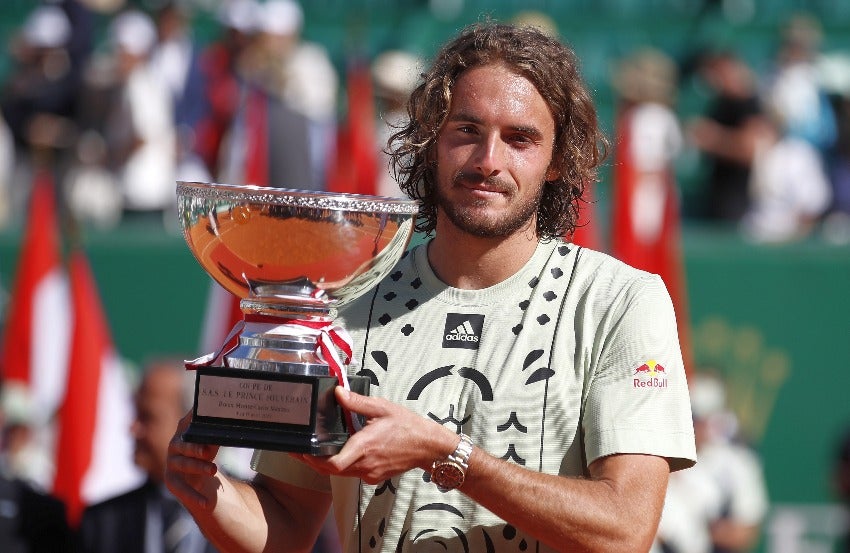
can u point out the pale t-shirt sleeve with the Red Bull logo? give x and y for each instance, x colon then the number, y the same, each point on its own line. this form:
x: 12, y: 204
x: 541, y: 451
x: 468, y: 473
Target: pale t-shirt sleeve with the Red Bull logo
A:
x: 636, y: 398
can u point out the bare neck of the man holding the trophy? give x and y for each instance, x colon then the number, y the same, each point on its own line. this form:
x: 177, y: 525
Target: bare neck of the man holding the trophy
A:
x: 472, y: 263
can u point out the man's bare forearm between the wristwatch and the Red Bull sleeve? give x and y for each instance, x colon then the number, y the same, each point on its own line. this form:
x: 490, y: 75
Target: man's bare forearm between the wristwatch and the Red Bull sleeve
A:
x: 571, y: 514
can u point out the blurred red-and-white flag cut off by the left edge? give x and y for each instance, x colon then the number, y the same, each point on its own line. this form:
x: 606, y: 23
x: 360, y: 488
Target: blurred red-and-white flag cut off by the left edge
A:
x: 37, y: 328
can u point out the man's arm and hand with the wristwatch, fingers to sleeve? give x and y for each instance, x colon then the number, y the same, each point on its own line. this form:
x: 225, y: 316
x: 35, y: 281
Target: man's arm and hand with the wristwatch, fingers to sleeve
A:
x: 616, y: 509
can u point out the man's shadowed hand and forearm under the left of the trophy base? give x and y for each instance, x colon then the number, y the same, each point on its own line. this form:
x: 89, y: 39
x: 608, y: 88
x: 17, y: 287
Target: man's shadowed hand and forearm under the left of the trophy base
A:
x: 262, y: 515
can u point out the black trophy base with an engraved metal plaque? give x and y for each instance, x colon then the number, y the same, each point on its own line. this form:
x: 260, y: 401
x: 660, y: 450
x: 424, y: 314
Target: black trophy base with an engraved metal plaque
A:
x: 268, y: 410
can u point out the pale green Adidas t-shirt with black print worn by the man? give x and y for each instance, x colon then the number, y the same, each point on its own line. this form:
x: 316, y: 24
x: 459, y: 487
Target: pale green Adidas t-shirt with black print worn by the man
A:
x: 573, y: 358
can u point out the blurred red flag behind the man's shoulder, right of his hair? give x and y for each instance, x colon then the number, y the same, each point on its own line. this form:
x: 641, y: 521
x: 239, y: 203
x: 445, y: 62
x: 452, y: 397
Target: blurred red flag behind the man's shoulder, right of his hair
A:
x: 646, y: 229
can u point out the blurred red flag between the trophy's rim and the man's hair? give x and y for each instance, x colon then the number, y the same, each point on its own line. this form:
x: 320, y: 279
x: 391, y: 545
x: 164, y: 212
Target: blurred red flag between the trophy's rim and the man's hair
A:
x: 355, y: 166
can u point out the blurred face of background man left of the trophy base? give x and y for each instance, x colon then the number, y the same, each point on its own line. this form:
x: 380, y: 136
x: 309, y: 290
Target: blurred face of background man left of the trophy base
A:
x: 158, y: 409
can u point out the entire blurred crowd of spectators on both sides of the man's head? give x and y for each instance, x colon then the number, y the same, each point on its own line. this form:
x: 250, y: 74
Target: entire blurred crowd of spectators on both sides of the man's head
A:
x: 119, y: 113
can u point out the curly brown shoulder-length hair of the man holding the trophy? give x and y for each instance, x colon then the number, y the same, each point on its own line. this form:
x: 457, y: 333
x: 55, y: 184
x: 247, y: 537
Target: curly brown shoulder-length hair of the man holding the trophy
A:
x: 552, y: 67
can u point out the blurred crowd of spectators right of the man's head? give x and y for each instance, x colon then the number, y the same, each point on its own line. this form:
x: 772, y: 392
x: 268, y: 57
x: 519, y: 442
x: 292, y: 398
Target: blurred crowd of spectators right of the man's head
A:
x: 772, y: 139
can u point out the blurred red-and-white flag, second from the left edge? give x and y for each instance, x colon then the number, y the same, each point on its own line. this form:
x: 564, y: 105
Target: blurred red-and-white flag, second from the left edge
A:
x: 94, y: 448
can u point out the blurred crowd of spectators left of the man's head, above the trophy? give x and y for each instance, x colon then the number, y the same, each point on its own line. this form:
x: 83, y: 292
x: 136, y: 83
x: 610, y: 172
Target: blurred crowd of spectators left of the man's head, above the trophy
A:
x: 118, y: 120
